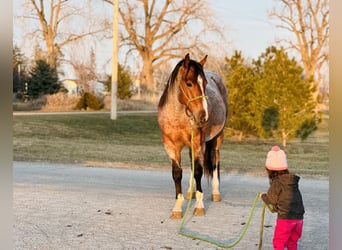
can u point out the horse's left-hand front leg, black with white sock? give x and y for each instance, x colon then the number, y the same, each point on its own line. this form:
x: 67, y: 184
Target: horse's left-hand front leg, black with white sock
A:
x: 177, y: 178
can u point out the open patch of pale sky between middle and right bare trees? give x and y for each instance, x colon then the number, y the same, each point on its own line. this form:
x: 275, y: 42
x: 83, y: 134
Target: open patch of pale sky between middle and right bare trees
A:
x: 248, y: 24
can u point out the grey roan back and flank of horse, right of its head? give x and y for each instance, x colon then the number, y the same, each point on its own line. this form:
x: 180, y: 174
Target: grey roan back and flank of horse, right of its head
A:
x: 217, y: 104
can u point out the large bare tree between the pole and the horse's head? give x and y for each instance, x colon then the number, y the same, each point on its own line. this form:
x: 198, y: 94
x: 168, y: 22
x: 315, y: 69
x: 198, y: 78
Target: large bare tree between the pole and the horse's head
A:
x: 162, y: 30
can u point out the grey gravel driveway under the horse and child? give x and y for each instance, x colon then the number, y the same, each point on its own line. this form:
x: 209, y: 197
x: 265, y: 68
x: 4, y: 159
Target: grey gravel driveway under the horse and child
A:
x: 59, y: 206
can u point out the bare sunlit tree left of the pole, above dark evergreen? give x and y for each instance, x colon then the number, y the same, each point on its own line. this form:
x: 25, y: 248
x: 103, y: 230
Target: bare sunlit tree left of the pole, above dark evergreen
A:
x: 55, y: 17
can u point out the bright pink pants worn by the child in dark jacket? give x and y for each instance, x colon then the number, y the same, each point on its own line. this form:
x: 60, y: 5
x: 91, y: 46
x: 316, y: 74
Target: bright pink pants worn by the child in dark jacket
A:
x: 287, y: 233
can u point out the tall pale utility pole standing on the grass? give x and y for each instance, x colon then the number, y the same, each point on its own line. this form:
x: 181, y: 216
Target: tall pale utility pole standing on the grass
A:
x: 113, y: 113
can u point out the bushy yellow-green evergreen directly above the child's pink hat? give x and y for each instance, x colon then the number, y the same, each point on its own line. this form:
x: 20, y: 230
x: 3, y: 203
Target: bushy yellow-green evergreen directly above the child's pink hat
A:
x: 284, y: 103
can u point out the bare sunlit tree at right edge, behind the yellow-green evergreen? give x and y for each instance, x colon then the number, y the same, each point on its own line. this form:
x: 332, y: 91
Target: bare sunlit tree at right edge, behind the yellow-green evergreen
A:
x: 308, y: 20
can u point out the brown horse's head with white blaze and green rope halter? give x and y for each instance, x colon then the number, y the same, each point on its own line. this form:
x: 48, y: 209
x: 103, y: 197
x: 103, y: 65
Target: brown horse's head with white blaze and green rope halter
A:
x: 192, y: 89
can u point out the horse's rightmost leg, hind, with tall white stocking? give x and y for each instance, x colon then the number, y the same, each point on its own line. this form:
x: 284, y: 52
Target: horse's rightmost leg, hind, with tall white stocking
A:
x: 216, y: 171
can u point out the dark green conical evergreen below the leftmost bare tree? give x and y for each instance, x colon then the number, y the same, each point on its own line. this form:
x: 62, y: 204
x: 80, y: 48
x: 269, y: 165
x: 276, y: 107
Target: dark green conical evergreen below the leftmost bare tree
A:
x: 42, y: 80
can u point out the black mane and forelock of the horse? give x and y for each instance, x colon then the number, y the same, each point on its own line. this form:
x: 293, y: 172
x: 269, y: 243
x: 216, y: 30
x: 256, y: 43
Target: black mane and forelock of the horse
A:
x: 171, y: 82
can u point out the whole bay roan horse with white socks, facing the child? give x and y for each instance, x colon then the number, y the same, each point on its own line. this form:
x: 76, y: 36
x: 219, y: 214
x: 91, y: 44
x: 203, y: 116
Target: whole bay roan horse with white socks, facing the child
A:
x: 193, y: 99
